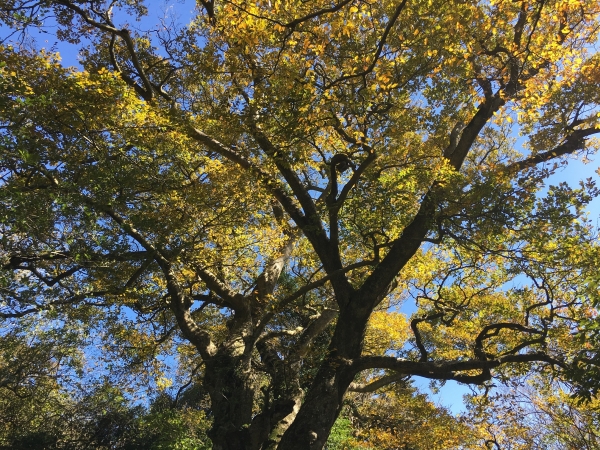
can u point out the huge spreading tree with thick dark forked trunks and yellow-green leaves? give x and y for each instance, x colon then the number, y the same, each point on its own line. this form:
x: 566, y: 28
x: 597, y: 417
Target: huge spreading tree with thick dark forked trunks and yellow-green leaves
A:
x: 252, y: 192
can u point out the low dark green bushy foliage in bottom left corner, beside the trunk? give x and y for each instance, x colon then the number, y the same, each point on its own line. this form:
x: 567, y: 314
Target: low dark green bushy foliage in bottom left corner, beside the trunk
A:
x: 103, y: 419
